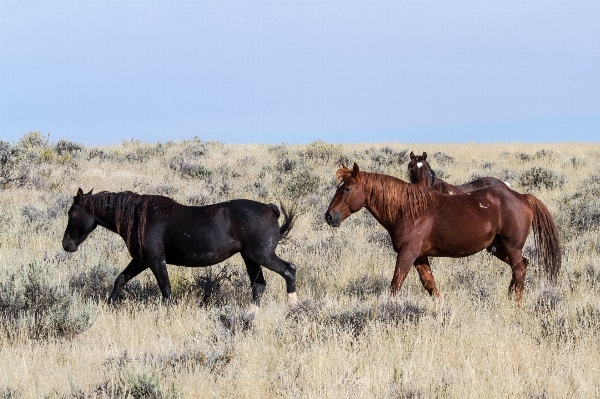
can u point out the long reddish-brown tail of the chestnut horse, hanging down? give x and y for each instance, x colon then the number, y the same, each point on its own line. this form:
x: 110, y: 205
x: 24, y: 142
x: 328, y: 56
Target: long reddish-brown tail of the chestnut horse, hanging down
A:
x: 546, y: 238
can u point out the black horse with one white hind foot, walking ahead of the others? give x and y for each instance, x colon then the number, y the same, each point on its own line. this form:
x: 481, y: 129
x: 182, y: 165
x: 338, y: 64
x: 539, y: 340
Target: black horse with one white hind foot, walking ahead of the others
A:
x: 157, y: 230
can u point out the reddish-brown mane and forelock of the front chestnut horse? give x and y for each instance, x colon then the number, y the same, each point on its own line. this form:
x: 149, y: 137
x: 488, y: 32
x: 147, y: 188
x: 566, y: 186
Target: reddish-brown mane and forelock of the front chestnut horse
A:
x: 392, y: 196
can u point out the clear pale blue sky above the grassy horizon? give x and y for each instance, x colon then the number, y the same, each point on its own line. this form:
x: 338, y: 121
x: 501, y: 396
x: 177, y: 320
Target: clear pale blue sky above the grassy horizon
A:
x: 284, y: 71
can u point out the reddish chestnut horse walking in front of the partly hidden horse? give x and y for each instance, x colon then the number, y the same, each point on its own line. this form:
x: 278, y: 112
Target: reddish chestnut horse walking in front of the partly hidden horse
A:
x: 423, y: 222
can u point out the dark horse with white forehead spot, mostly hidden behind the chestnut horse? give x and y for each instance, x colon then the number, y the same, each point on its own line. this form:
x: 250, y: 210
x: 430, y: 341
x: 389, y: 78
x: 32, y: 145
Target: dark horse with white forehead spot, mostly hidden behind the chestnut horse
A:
x: 421, y: 173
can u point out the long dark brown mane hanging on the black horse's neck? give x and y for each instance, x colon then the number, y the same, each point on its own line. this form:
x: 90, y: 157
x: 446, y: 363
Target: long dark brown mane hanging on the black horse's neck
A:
x: 127, y: 208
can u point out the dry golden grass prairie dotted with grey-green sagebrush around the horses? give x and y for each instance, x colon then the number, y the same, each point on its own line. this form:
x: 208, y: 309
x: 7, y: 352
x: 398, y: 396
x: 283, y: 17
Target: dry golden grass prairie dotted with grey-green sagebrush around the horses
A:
x: 347, y: 338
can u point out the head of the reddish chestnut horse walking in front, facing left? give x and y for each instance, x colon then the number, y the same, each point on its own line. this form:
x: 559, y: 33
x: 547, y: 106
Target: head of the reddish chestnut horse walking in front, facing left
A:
x: 350, y: 196
